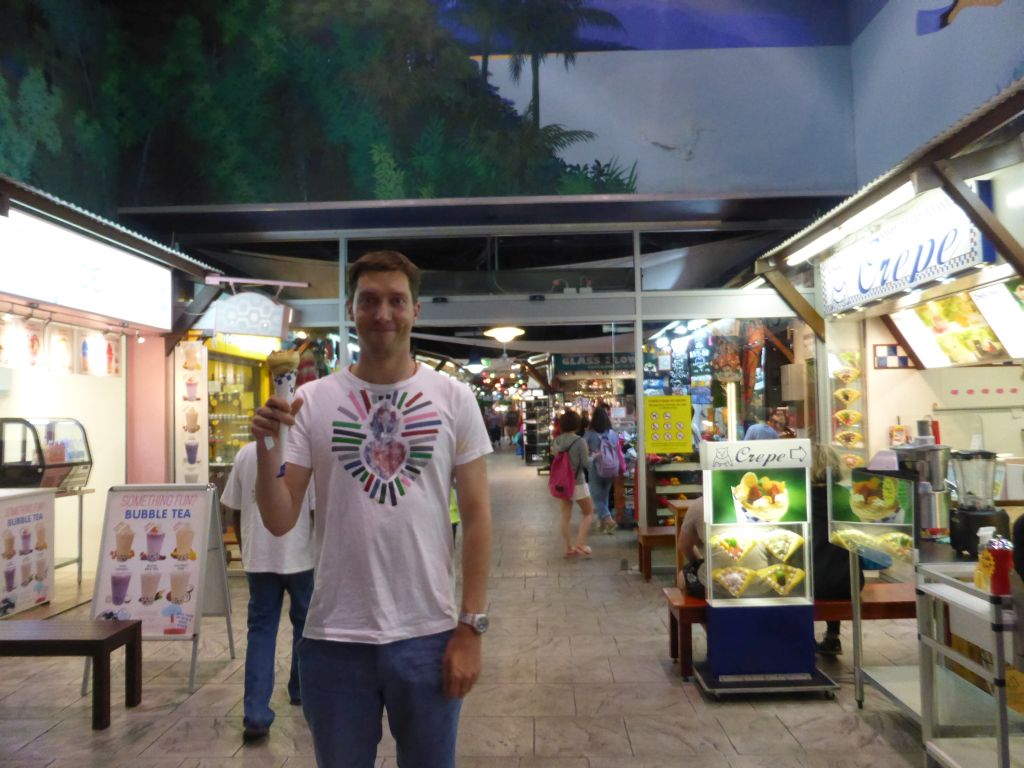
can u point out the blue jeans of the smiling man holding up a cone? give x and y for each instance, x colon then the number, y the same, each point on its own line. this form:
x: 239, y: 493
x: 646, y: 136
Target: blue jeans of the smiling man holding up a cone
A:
x: 348, y: 687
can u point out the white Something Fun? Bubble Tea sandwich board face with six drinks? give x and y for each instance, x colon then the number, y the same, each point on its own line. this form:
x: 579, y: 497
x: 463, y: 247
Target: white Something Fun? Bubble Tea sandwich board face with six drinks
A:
x: 153, y: 558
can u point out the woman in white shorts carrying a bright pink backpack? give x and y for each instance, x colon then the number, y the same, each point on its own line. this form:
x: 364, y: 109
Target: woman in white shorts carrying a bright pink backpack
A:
x: 571, y: 450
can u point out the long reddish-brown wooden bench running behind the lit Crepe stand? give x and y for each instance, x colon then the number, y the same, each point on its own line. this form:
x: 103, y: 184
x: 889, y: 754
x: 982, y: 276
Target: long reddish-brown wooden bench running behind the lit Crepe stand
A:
x: 878, y: 601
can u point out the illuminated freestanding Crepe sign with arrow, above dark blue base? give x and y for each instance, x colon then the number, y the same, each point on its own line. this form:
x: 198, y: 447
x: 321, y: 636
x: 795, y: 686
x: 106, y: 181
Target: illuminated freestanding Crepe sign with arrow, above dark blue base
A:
x: 757, y: 516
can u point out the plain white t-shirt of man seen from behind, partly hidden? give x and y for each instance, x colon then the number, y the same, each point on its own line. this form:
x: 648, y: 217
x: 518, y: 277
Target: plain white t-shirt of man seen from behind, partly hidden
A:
x: 263, y: 552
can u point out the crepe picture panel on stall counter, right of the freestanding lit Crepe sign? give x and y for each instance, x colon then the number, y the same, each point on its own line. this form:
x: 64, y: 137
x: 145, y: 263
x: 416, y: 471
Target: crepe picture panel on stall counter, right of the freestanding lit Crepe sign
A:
x: 873, y: 516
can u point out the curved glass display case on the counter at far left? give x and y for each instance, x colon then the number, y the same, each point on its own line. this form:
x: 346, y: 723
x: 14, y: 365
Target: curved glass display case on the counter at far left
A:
x: 45, y: 453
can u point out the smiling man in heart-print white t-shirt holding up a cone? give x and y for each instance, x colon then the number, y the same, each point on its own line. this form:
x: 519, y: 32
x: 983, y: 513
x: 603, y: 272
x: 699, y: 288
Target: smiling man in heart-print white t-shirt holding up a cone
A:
x: 381, y: 441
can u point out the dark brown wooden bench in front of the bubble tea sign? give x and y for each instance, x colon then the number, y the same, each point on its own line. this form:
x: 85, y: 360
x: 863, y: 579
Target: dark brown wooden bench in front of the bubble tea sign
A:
x: 95, y: 639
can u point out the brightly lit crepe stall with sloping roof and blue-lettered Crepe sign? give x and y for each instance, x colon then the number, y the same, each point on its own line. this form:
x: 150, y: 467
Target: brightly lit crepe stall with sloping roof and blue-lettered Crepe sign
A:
x: 919, y: 281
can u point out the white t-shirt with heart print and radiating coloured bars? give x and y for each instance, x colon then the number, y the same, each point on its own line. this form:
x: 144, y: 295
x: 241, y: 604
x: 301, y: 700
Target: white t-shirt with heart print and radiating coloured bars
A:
x: 382, y: 457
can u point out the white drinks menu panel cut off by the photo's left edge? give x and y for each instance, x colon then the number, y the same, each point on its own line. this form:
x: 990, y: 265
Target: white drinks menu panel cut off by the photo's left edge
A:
x: 27, y: 523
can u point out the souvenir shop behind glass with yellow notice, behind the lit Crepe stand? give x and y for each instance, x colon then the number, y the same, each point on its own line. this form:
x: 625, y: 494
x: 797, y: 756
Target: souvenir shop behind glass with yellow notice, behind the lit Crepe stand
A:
x: 707, y: 380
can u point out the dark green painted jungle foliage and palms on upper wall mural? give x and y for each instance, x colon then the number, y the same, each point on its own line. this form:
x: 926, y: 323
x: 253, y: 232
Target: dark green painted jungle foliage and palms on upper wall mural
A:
x: 120, y: 103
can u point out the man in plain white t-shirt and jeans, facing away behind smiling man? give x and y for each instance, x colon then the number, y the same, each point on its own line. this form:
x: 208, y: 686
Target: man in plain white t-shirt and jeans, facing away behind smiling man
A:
x: 273, y: 568
